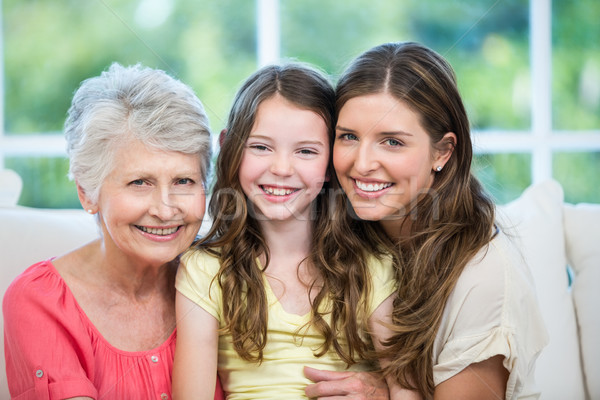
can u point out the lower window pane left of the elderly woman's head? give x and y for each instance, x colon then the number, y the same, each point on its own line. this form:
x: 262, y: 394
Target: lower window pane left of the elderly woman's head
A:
x: 45, y: 182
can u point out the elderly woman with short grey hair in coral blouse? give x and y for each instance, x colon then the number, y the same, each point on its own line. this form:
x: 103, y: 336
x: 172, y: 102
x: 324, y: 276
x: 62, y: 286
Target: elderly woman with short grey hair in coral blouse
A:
x: 99, y: 321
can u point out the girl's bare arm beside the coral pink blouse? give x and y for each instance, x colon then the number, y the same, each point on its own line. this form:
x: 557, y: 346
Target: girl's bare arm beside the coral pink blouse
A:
x: 195, y: 365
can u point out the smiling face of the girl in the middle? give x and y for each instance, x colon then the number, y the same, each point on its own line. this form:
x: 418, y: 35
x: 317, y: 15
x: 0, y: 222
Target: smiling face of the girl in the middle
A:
x: 285, y: 159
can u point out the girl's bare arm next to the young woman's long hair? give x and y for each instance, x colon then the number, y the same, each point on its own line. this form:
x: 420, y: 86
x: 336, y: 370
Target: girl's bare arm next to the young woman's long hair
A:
x: 379, y: 325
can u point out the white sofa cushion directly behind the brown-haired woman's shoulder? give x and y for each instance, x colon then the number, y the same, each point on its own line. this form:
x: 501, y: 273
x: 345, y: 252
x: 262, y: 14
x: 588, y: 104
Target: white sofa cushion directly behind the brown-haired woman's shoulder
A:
x: 536, y: 222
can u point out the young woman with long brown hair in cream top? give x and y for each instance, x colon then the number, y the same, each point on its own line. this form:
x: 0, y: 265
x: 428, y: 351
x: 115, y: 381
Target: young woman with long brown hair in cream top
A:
x: 467, y: 323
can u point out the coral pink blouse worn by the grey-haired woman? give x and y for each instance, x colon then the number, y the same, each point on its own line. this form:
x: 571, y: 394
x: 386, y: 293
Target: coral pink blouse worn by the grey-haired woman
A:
x: 53, y: 351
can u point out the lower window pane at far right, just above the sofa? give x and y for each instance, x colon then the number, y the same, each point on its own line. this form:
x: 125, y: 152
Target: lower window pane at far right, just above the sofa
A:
x: 578, y: 175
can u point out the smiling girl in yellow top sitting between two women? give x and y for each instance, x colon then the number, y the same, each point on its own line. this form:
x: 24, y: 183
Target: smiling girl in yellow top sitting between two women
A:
x: 276, y: 285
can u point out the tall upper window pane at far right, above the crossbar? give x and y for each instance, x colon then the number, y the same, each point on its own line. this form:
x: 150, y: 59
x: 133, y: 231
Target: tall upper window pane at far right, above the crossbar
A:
x: 576, y: 64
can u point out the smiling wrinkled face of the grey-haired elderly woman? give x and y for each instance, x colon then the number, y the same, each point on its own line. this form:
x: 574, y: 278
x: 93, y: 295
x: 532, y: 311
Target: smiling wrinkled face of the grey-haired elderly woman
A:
x: 151, y: 205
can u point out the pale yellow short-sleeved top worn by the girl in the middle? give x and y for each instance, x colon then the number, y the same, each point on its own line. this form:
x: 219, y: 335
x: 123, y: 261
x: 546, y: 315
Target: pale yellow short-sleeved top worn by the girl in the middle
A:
x: 280, y: 375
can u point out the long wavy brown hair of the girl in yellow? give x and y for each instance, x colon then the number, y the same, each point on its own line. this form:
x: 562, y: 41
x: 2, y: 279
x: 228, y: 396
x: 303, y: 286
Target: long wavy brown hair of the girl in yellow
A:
x: 236, y: 237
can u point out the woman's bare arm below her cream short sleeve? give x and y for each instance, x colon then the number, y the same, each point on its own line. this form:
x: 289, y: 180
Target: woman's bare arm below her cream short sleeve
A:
x: 485, y: 380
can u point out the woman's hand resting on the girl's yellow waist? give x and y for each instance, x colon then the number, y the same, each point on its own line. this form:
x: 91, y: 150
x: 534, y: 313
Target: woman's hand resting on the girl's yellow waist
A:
x: 332, y: 385
